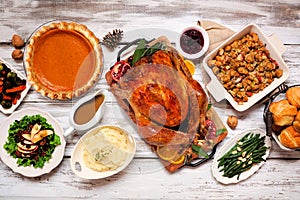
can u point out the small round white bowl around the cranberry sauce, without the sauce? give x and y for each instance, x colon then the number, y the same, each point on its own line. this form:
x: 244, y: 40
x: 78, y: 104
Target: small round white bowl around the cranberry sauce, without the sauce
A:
x: 204, y: 47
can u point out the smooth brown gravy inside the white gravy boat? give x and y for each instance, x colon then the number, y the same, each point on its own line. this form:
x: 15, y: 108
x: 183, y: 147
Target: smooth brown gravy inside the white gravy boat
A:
x: 86, y: 111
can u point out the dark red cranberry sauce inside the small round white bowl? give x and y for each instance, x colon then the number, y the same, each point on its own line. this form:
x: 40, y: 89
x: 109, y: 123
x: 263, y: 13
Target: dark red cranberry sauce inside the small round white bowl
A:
x: 191, y: 41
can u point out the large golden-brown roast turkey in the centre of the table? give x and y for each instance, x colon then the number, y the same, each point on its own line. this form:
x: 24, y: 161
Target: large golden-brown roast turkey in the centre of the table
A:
x: 161, y: 97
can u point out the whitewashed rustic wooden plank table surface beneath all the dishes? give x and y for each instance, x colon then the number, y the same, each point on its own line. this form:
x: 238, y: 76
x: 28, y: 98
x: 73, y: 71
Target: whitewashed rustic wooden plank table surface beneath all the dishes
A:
x: 145, y: 178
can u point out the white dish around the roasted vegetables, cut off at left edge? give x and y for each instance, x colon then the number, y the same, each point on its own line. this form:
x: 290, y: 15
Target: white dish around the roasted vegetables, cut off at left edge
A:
x: 23, y: 93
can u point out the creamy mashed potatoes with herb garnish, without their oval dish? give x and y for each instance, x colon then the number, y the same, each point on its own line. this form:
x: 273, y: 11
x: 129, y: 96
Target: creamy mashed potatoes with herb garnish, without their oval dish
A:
x: 106, y: 149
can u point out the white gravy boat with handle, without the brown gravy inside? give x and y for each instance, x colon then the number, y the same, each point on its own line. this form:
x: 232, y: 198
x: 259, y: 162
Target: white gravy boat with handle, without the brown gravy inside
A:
x: 94, y: 120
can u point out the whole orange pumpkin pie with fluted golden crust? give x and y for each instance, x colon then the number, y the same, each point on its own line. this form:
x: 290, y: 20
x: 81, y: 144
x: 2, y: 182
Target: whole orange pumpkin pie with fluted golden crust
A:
x: 63, y: 60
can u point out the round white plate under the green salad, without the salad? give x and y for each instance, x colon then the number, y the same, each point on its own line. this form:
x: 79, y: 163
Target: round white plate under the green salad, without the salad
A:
x: 30, y: 171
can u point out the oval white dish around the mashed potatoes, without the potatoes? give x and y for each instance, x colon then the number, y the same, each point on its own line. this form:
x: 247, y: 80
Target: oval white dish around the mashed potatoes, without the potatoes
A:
x: 77, y: 162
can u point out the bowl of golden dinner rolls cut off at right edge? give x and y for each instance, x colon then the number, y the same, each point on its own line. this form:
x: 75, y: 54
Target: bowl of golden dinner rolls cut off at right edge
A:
x: 282, y: 117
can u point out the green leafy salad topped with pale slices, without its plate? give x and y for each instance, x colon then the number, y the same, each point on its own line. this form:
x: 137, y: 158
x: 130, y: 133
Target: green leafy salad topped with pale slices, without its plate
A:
x: 31, y: 141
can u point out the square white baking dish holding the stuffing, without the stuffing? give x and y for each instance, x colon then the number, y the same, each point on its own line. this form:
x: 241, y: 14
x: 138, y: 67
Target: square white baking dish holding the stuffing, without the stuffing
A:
x: 276, y: 49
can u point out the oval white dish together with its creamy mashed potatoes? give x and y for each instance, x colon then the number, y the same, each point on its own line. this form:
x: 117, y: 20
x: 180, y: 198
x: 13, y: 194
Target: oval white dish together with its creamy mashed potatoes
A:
x: 103, y: 151
